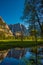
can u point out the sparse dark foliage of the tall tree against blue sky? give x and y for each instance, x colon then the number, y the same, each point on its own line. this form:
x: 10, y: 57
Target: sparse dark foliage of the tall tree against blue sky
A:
x: 31, y: 16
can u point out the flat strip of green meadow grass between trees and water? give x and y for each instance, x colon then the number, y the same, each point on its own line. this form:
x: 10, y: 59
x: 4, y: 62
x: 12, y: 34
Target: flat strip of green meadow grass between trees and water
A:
x: 12, y: 44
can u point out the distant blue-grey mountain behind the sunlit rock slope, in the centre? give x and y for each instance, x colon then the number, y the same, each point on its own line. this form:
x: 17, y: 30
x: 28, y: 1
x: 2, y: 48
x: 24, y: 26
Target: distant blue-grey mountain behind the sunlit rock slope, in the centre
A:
x: 18, y: 28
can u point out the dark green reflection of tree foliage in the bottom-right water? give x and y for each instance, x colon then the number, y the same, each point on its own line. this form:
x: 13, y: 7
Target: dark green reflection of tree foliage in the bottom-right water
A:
x: 32, y: 60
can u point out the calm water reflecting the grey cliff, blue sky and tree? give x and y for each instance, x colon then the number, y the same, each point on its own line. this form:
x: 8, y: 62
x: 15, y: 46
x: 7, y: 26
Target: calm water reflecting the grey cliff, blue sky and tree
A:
x: 23, y: 56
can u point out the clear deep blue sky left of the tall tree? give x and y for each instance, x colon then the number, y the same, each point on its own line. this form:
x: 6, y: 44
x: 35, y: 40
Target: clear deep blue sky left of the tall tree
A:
x: 11, y: 10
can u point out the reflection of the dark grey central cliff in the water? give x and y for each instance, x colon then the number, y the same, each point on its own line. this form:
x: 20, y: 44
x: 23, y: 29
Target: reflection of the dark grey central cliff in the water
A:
x: 16, y: 53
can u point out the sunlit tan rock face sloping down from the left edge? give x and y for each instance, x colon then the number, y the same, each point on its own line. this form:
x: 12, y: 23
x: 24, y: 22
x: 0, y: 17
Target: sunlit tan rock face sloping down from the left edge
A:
x: 4, y: 29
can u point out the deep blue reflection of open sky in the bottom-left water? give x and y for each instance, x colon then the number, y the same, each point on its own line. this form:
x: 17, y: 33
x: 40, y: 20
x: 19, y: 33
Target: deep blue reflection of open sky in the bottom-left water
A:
x: 12, y: 61
